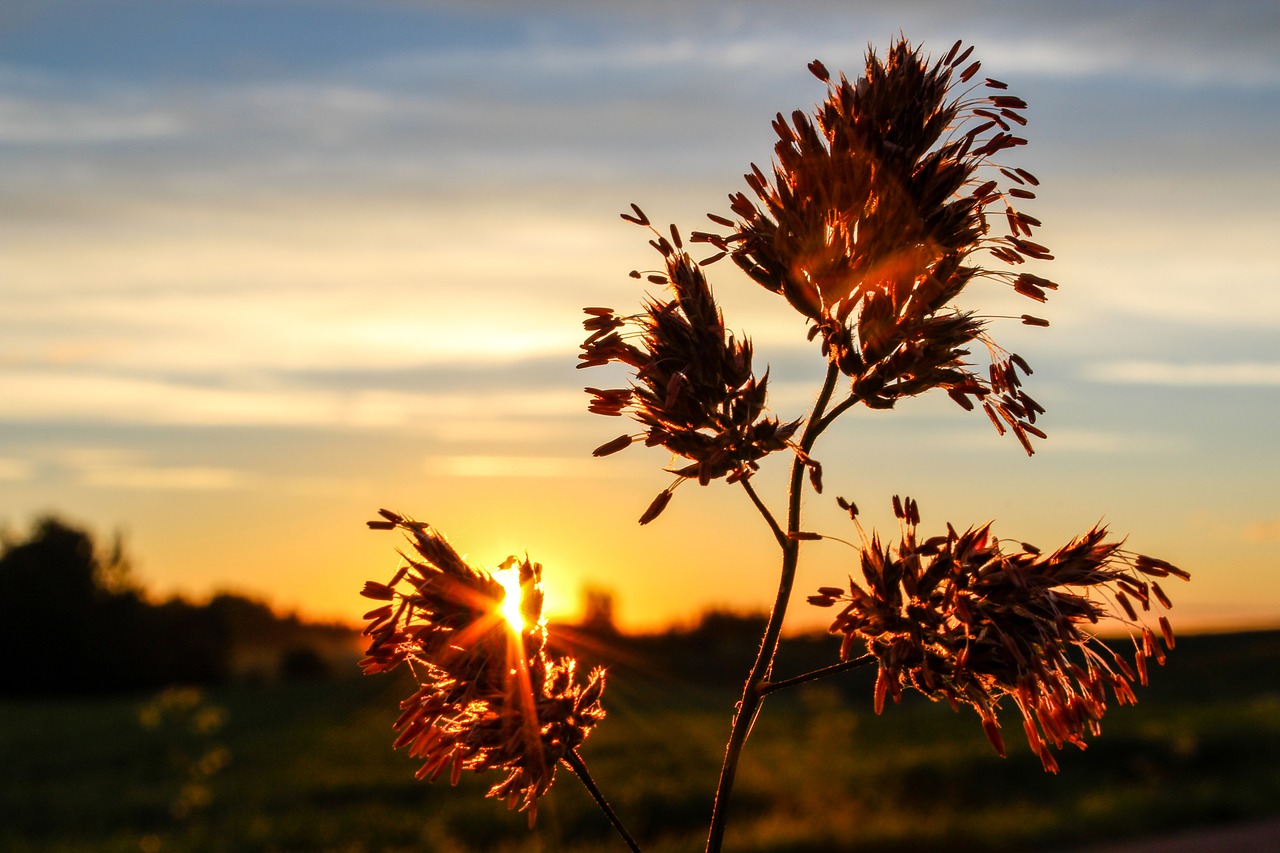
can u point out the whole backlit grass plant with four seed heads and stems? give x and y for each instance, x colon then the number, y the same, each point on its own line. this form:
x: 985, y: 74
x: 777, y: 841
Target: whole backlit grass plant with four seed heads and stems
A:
x: 881, y: 209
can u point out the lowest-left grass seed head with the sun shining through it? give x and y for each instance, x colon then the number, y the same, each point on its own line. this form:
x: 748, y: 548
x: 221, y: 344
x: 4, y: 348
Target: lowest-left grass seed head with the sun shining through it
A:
x: 488, y: 695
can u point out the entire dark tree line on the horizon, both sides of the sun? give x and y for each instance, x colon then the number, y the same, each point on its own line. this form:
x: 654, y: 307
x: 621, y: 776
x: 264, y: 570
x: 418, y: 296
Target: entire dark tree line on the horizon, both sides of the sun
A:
x: 76, y: 622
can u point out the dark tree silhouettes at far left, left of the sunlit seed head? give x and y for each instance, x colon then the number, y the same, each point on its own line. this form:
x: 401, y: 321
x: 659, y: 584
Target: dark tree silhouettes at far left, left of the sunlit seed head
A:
x: 75, y: 622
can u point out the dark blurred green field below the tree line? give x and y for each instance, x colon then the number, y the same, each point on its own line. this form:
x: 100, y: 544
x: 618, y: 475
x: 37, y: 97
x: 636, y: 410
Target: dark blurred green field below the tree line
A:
x: 312, y: 769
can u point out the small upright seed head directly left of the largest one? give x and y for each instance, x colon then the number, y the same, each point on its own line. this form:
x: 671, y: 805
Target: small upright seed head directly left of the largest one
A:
x: 693, y: 390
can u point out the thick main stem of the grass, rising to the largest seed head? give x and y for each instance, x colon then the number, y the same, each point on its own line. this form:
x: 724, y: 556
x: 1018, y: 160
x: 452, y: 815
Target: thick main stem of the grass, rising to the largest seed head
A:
x: 752, y: 694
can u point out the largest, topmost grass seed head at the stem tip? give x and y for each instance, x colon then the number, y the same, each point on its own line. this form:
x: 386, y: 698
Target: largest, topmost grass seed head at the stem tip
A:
x: 872, y: 217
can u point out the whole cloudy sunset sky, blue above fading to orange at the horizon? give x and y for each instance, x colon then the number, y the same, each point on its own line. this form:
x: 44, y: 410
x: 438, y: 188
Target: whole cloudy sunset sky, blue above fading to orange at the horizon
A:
x: 269, y: 267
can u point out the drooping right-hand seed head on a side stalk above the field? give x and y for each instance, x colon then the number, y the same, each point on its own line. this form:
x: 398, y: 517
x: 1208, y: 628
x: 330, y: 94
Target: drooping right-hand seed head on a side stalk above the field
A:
x: 959, y: 619
